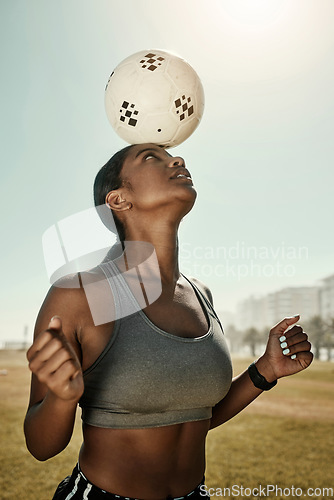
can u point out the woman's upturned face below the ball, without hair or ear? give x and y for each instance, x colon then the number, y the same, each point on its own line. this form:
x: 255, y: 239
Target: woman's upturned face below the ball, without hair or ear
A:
x: 157, y: 179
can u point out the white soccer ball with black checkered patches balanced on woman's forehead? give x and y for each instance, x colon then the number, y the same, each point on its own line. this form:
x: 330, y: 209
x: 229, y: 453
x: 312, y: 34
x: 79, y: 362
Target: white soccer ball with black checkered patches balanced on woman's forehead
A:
x: 154, y: 96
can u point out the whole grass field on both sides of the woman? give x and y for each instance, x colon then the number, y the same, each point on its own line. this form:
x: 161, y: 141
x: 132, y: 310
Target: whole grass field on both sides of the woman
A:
x: 284, y: 438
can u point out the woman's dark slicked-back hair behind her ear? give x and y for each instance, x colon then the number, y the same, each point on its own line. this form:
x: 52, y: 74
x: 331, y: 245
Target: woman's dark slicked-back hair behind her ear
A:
x: 107, y: 179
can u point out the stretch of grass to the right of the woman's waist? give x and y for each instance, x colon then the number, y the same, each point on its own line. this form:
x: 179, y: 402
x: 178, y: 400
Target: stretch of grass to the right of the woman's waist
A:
x: 283, y: 438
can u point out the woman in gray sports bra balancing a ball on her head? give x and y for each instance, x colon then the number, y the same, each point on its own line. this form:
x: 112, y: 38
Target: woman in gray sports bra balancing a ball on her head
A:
x: 156, y: 380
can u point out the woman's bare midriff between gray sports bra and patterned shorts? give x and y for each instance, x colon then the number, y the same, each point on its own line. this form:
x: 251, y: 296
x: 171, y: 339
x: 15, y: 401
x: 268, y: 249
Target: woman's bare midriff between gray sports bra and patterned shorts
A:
x: 145, y: 463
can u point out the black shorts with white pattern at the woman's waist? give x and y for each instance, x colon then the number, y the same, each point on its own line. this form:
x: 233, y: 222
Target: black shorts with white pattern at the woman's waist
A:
x: 77, y: 487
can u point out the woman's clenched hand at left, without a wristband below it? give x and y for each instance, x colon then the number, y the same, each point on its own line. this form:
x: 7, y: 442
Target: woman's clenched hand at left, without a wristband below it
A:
x: 55, y: 364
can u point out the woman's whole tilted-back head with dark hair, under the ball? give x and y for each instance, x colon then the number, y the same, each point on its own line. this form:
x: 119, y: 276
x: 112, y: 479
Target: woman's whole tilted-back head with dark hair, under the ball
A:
x: 146, y: 178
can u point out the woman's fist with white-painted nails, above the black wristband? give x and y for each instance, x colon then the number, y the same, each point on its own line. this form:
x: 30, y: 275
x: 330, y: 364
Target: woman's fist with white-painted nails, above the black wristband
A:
x: 287, y: 351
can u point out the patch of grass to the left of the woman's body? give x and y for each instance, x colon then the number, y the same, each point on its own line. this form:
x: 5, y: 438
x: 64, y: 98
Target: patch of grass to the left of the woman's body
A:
x: 23, y: 477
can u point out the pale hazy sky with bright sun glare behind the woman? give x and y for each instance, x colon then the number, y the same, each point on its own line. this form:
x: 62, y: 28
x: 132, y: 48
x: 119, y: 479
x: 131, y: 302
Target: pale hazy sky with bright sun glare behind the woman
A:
x: 261, y: 159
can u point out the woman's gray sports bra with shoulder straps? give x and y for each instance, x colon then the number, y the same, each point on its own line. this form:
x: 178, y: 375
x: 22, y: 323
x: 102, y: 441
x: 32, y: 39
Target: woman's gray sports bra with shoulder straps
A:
x: 147, y: 377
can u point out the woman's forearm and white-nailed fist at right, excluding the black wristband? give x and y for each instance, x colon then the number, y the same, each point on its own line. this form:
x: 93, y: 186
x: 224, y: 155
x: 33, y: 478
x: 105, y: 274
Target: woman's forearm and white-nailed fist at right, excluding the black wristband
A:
x: 272, y: 365
